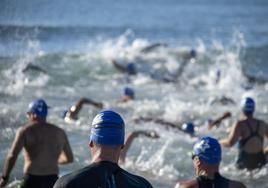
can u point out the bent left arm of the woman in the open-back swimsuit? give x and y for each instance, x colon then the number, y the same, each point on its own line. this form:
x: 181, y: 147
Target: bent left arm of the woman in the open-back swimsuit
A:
x: 233, y: 136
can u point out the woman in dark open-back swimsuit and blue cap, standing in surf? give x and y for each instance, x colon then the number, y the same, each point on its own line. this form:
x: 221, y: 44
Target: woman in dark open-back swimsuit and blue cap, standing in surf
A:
x: 250, y: 133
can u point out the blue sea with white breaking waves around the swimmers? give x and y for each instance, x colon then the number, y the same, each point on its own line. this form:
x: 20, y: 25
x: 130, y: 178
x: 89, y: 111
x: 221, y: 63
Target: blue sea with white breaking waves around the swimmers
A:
x: 75, y: 41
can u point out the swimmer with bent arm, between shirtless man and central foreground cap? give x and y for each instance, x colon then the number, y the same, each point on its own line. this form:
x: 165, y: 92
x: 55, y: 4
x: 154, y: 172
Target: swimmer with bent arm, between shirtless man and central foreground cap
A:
x: 72, y: 113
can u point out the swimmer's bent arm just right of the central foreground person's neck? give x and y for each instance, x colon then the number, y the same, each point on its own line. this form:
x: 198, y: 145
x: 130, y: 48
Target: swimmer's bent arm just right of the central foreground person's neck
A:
x: 131, y: 137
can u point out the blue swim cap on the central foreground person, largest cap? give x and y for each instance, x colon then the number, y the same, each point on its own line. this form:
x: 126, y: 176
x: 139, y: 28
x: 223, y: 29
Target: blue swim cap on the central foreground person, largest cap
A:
x: 108, y: 128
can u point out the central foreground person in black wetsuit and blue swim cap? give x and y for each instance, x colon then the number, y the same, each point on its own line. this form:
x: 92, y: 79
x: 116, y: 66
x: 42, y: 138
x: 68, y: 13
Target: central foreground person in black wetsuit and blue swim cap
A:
x: 106, y: 142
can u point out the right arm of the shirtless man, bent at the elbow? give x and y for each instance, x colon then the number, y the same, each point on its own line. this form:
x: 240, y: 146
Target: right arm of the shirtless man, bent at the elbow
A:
x: 66, y: 155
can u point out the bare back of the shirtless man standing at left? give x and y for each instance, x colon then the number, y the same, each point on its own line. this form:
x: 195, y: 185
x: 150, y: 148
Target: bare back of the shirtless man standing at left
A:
x: 42, y: 144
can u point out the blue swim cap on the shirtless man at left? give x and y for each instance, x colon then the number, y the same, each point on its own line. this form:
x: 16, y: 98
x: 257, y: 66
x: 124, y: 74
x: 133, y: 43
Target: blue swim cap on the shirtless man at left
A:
x: 38, y: 107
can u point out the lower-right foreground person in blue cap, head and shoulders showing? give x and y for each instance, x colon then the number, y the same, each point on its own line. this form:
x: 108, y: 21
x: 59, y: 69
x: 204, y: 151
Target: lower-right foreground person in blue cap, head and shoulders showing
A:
x: 206, y: 156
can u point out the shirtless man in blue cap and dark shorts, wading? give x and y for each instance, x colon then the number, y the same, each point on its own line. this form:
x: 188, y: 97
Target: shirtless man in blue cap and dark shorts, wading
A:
x: 44, y: 145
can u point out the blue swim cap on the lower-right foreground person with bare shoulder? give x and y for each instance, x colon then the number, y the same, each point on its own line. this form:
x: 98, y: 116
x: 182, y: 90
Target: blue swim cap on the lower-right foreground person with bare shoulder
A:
x: 207, y: 149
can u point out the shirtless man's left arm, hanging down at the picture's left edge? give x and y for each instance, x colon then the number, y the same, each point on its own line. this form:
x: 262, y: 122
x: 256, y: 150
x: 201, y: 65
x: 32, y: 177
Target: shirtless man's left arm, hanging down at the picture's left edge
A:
x: 11, y: 158
